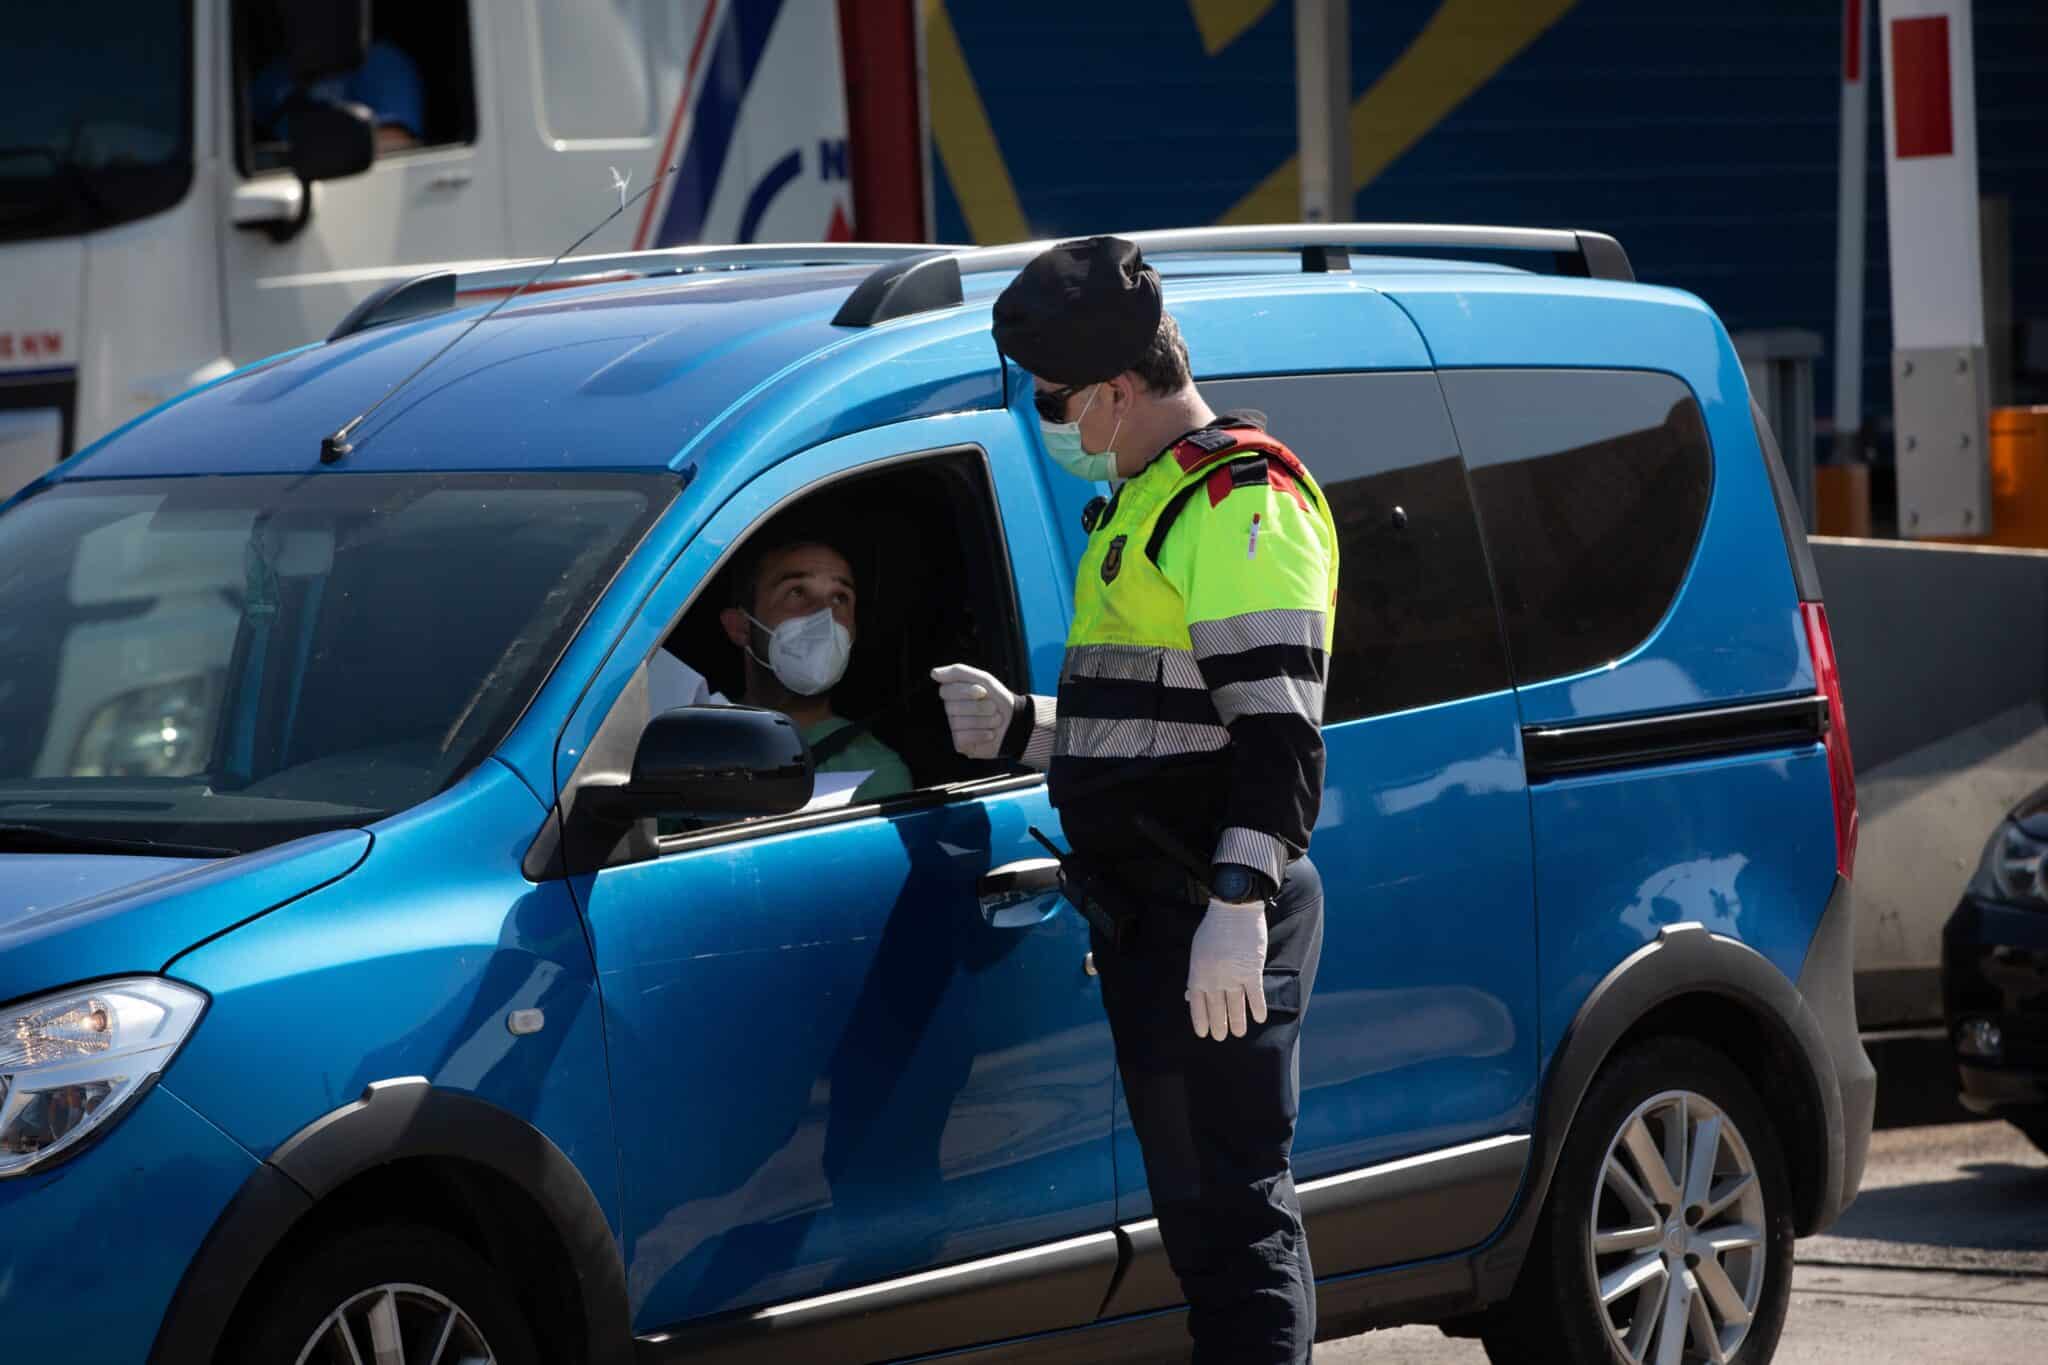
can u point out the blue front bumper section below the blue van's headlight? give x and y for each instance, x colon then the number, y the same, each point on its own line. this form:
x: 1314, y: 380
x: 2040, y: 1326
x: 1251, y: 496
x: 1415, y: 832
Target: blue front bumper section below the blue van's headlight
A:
x: 95, y: 1247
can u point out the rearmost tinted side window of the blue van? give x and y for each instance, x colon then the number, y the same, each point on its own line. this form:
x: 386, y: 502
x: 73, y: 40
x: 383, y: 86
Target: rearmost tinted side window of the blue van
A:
x: 1592, y: 490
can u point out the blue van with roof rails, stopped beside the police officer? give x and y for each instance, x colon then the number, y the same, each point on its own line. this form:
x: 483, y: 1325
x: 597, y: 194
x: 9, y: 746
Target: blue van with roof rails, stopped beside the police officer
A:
x: 394, y: 973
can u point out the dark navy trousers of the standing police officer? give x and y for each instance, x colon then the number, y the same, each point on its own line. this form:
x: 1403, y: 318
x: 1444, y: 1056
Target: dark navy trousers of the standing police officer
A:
x: 1218, y: 1127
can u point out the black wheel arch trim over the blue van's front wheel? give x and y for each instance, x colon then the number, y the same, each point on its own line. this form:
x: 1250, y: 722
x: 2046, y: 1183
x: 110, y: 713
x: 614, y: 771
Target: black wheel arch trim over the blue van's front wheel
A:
x: 396, y: 1120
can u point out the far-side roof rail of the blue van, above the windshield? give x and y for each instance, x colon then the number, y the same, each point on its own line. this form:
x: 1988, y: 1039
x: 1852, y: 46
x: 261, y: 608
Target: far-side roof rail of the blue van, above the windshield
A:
x: 441, y: 288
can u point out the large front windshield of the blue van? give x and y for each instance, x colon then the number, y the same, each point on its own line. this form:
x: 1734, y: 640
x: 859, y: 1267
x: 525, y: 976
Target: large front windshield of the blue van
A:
x: 232, y: 662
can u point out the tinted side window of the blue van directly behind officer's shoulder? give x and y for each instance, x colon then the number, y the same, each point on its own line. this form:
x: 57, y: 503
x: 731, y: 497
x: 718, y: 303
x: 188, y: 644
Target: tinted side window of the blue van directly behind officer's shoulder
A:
x: 1416, y: 619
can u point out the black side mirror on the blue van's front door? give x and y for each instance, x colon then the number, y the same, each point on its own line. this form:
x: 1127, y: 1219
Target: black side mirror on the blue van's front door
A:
x: 716, y: 764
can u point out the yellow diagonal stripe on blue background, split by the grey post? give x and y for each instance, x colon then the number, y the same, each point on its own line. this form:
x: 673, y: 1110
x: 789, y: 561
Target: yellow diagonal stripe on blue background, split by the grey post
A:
x: 1461, y: 48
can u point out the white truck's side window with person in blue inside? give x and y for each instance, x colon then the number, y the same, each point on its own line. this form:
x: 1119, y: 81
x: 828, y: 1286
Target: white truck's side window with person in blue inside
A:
x: 417, y: 81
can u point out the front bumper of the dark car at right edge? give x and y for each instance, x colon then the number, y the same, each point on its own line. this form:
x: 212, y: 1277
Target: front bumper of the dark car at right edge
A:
x: 1996, y: 969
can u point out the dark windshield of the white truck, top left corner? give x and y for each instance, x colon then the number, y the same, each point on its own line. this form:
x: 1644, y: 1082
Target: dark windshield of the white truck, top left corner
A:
x: 97, y: 128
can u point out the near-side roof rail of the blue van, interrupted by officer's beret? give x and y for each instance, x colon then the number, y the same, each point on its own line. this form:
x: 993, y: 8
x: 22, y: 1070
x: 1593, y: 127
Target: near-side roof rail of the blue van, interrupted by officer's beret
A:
x: 1324, y: 247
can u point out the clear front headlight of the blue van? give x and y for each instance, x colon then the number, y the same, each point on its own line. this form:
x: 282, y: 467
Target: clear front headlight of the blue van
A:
x: 73, y: 1061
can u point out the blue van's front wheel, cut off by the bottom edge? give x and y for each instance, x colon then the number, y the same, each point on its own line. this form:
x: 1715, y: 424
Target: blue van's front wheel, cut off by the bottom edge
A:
x: 398, y: 1276
